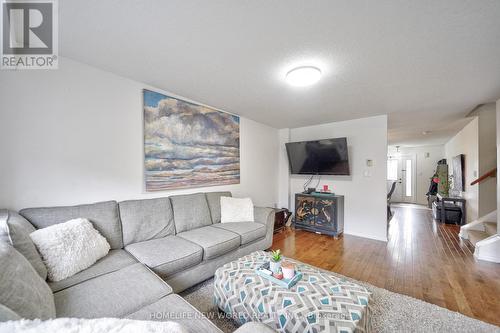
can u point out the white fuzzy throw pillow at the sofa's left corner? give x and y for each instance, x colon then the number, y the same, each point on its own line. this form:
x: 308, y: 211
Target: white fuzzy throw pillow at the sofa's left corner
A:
x: 70, y: 247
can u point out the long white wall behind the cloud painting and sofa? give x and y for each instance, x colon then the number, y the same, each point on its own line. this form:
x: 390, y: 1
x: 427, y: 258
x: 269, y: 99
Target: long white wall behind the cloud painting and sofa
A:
x: 75, y: 135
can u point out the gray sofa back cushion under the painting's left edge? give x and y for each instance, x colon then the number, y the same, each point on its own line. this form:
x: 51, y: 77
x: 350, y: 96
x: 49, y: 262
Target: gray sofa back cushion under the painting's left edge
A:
x: 143, y: 220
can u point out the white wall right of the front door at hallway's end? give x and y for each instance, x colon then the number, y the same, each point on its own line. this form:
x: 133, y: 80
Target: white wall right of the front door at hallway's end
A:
x: 426, y: 158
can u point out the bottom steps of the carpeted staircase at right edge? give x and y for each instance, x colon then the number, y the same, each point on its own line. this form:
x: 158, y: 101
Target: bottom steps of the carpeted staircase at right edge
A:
x: 483, y: 234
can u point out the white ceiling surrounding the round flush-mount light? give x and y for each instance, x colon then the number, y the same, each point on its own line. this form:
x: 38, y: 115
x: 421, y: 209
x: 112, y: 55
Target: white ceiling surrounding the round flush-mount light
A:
x: 426, y: 63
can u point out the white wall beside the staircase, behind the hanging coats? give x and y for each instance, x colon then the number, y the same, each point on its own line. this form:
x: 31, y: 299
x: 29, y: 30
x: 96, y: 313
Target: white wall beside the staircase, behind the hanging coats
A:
x: 466, y: 142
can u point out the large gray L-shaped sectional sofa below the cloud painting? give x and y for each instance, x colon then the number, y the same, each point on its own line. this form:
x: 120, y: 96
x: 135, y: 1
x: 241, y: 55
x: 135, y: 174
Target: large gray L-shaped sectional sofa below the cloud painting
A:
x: 159, y: 247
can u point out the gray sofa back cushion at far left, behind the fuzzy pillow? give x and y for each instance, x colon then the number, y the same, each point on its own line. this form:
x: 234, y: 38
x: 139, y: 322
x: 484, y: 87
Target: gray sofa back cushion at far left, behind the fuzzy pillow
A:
x: 16, y: 230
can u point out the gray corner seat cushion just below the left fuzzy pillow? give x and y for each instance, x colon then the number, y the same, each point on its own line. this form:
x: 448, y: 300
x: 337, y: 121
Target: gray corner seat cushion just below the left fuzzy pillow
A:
x: 113, y: 261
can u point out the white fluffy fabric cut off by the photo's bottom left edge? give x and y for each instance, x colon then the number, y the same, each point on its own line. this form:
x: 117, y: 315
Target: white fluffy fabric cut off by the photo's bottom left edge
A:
x: 102, y: 325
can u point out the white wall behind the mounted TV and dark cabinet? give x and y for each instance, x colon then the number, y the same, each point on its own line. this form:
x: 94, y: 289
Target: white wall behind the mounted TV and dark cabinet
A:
x: 365, y: 212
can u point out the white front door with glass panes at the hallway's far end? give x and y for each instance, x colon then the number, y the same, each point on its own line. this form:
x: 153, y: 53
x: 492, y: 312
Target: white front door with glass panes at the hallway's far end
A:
x: 402, y: 170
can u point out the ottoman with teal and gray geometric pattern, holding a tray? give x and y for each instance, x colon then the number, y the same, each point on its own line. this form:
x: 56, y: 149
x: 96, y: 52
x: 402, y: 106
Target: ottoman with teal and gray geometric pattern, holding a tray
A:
x: 320, y: 302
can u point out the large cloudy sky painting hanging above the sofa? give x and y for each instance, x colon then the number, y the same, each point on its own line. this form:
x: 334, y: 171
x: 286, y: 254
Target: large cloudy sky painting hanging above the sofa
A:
x: 188, y: 145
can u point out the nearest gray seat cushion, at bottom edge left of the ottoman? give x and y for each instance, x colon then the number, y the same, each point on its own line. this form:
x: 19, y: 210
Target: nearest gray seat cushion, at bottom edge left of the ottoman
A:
x: 175, y: 308
